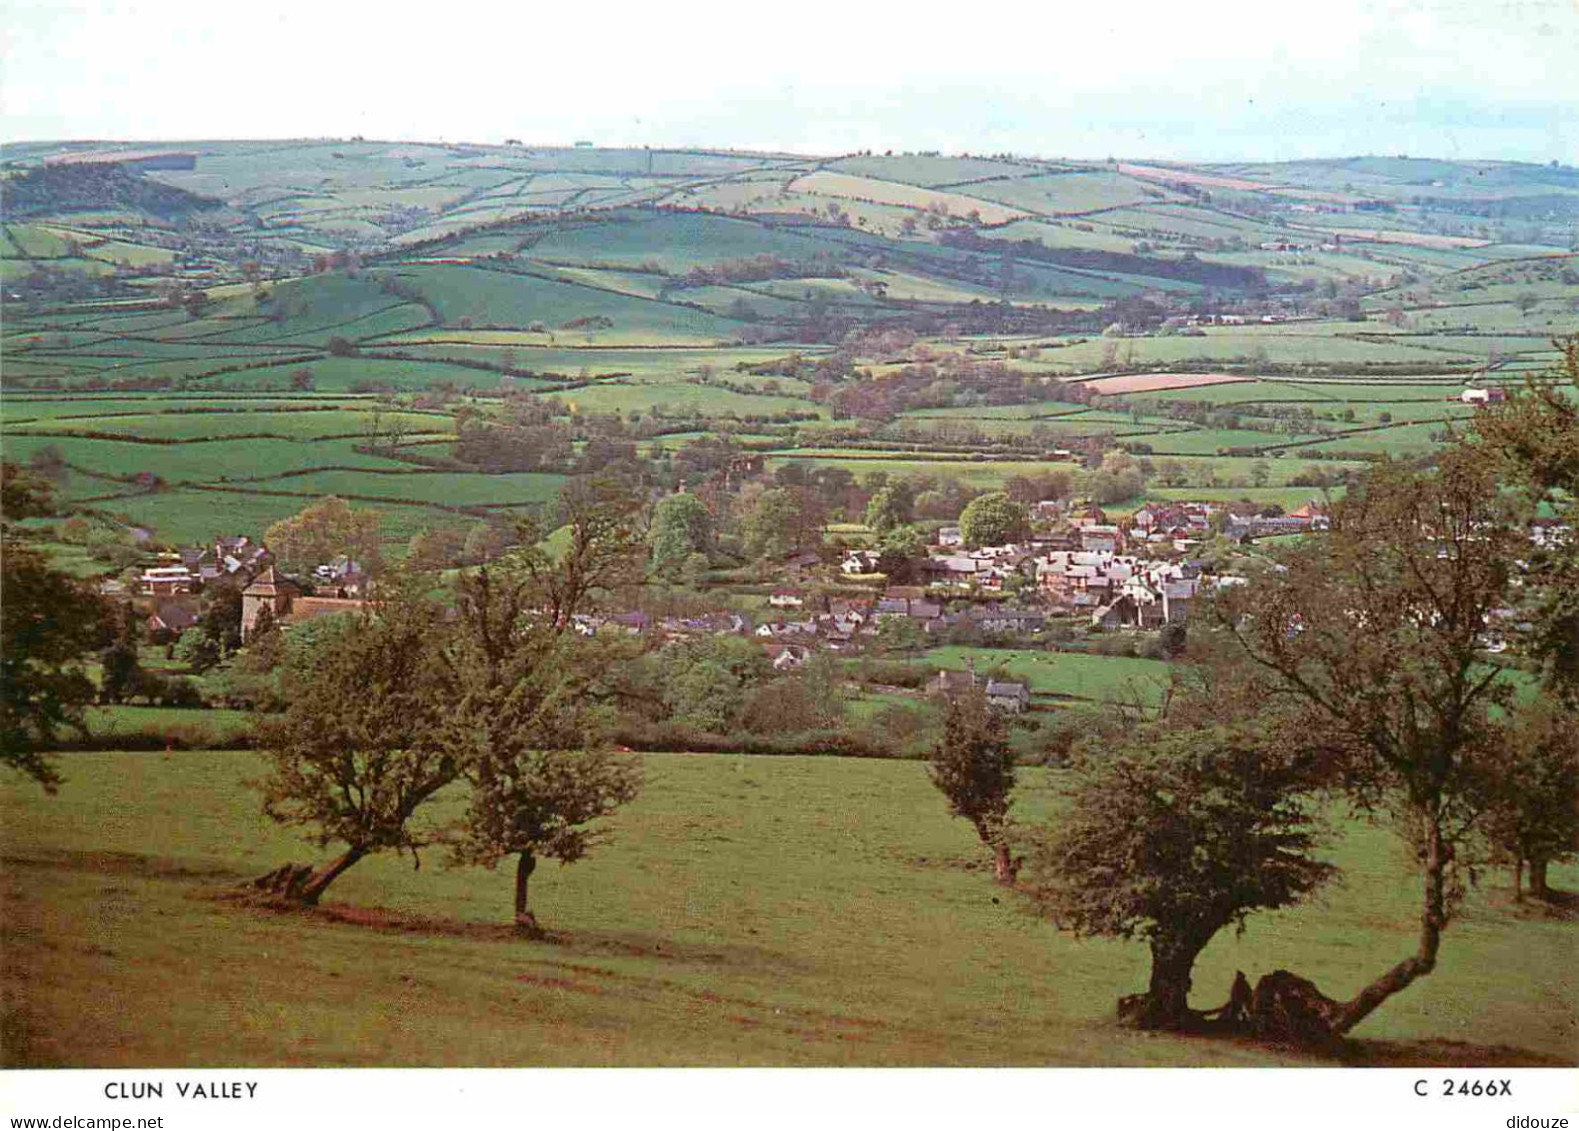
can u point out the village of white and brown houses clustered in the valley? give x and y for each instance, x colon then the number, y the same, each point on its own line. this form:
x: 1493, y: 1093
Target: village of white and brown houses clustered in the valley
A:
x: 1081, y: 573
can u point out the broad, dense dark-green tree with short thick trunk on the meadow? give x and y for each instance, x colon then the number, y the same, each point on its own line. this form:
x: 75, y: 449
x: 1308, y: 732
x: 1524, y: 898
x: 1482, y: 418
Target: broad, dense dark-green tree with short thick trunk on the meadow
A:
x: 1174, y: 835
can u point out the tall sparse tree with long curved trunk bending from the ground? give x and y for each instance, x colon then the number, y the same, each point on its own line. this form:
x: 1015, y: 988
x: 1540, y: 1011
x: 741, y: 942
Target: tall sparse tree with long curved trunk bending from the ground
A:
x: 1378, y: 634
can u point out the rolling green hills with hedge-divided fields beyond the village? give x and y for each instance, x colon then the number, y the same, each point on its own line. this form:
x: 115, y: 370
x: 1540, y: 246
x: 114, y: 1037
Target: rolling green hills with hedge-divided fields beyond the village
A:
x: 885, y: 301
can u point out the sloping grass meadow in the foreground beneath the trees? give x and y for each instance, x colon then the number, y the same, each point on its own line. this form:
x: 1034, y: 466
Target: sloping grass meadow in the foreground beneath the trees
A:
x: 749, y: 912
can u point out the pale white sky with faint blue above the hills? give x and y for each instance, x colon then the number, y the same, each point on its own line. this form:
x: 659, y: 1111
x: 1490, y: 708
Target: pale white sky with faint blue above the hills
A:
x: 1236, y: 80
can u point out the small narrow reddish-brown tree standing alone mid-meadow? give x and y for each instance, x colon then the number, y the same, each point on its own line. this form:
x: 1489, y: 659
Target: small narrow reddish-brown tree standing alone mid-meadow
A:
x: 973, y: 768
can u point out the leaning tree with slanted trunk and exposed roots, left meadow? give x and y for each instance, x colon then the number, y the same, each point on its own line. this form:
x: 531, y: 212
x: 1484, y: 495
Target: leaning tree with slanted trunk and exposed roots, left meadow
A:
x: 362, y: 745
